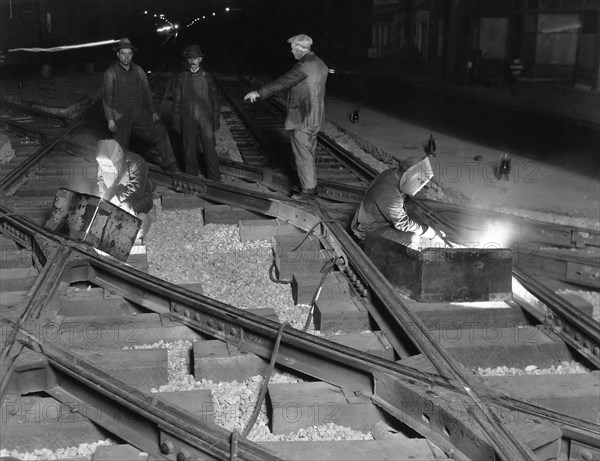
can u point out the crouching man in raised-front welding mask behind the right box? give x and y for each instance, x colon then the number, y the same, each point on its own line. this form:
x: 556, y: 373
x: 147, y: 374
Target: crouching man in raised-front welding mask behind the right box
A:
x: 383, y: 207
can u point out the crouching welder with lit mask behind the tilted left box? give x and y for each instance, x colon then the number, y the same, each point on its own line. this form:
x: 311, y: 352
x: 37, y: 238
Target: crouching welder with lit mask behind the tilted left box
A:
x: 123, y: 180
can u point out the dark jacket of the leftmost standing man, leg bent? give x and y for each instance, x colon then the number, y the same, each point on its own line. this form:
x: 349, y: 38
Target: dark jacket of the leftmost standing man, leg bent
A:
x: 126, y: 92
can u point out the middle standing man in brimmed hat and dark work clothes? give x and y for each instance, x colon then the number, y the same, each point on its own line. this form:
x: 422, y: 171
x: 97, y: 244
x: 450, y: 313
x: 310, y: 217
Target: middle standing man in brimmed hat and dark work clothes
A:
x: 196, y: 115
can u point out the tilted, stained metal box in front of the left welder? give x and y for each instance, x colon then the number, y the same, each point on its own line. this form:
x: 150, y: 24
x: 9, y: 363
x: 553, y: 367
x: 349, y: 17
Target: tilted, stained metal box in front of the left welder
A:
x: 109, y: 229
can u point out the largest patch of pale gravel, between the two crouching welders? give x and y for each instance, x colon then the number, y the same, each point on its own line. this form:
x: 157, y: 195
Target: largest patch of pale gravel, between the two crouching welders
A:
x: 181, y: 250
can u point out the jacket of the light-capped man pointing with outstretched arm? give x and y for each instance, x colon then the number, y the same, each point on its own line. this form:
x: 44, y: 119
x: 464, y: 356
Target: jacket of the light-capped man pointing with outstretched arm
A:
x: 306, y: 98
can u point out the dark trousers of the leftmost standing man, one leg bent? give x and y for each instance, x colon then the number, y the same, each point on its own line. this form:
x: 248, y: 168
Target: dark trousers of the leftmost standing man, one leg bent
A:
x: 154, y: 133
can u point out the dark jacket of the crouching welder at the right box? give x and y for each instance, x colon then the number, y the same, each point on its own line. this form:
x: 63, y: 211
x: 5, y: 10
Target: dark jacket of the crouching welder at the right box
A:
x: 383, y: 205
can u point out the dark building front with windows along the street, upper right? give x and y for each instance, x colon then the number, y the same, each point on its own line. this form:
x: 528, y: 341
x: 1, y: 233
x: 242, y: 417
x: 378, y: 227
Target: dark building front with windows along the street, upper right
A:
x: 477, y: 41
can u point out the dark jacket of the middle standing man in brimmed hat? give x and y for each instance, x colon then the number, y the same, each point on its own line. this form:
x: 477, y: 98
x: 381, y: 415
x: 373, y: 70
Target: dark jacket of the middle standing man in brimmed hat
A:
x: 195, y: 97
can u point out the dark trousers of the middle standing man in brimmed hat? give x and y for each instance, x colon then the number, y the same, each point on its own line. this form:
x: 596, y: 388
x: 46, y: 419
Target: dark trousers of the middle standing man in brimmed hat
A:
x: 199, y: 146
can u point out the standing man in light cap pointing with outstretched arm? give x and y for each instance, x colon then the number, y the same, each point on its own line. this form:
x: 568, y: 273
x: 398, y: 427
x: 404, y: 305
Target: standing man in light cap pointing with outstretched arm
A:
x: 305, y: 108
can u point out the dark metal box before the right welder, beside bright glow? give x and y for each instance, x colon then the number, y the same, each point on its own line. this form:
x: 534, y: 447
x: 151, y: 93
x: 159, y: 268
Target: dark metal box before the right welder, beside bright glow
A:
x: 443, y: 274
